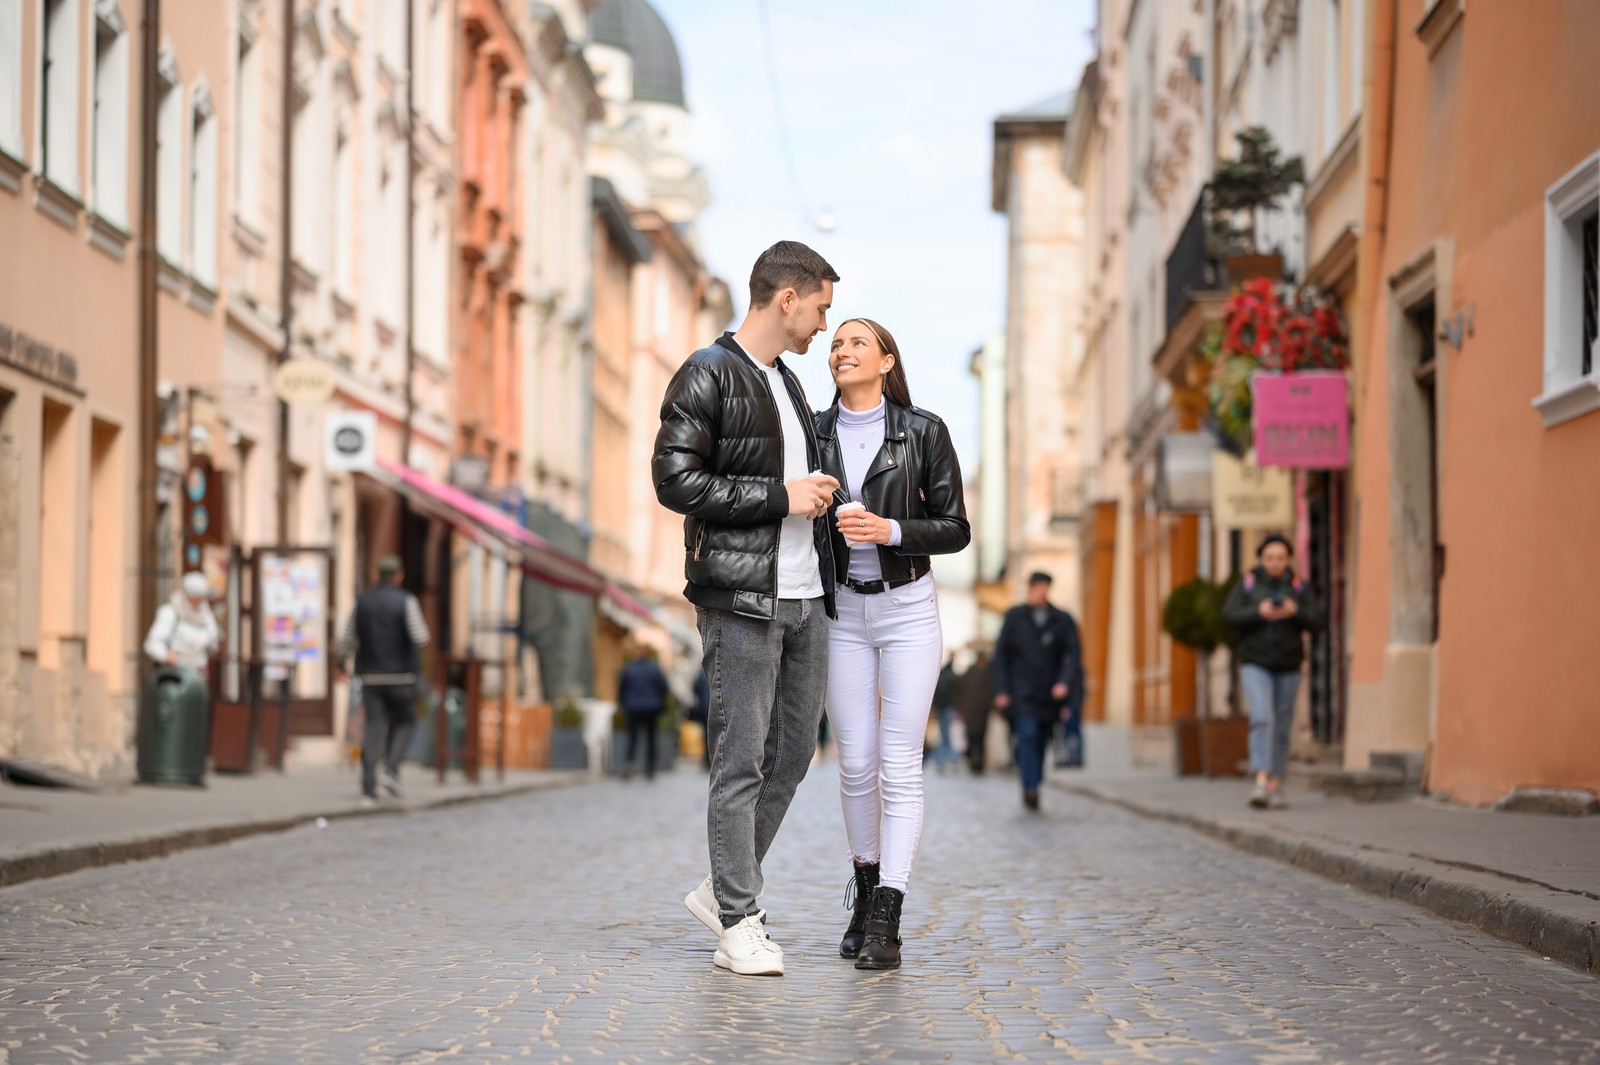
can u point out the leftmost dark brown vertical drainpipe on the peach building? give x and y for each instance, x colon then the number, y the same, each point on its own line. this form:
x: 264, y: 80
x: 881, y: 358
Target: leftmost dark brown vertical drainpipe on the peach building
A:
x: 150, y: 413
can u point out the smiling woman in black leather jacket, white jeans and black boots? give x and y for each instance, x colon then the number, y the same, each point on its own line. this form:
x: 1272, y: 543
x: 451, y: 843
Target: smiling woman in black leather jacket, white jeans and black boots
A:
x: 887, y: 645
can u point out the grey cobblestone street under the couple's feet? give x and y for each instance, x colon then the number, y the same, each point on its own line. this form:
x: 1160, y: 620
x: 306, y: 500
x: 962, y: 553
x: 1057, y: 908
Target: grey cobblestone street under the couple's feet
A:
x: 550, y: 928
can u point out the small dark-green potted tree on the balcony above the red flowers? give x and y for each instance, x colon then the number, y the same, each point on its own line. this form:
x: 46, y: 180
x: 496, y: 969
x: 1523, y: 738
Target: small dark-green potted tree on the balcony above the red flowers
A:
x: 1258, y: 178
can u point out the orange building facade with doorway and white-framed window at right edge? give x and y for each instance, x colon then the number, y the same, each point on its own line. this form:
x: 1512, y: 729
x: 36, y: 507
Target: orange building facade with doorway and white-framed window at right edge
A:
x: 1476, y: 425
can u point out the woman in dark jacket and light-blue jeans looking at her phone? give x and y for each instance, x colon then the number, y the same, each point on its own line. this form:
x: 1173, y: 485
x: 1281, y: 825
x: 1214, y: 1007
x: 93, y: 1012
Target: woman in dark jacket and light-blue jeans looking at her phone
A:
x: 1271, y: 610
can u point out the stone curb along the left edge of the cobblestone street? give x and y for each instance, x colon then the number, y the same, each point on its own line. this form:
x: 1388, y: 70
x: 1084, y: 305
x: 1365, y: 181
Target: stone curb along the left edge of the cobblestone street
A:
x: 71, y: 860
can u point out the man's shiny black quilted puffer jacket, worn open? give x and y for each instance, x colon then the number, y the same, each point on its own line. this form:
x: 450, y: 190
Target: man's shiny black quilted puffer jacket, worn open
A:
x: 721, y: 463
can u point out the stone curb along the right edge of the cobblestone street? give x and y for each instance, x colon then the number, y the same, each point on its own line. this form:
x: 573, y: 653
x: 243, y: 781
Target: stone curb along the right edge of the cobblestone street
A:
x: 1556, y: 925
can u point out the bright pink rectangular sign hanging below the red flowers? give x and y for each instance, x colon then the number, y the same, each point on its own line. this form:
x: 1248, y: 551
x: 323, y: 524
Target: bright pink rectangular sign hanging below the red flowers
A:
x: 1302, y: 420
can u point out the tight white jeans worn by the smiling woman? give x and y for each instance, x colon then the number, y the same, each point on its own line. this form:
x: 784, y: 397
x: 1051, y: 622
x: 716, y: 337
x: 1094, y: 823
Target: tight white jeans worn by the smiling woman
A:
x: 884, y: 660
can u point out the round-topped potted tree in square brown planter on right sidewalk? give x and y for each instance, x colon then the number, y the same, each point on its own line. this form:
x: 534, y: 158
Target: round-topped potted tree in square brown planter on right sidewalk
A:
x: 1193, y: 616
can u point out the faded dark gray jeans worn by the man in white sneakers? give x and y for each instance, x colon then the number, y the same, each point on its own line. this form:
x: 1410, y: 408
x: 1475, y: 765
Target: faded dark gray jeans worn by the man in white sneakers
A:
x: 767, y: 684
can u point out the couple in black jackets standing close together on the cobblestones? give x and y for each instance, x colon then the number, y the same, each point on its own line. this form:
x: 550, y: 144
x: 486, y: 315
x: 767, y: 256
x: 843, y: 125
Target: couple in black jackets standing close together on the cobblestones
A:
x: 807, y: 543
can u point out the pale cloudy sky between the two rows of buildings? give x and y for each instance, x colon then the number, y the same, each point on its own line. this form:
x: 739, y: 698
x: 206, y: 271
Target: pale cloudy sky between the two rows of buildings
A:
x: 890, y: 110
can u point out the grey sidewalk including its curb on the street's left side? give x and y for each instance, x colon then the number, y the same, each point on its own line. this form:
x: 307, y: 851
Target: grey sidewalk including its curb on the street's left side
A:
x: 49, y: 832
